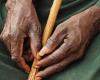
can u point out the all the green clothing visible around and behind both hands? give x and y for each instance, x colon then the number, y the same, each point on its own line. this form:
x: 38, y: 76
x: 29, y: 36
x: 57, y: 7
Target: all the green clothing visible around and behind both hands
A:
x: 88, y: 68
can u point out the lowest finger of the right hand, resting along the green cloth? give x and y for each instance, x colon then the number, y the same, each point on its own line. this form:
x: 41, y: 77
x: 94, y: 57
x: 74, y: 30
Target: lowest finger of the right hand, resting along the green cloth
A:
x: 56, y: 67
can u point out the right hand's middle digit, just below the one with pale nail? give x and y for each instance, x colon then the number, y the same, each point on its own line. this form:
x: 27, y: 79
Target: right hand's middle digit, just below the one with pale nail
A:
x: 56, y: 56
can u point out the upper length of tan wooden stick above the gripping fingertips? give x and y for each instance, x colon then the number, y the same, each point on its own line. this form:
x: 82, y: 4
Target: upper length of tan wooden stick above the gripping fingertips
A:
x: 51, y: 20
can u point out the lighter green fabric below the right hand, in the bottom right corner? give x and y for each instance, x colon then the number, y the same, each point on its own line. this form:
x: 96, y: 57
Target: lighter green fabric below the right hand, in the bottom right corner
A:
x: 87, y: 68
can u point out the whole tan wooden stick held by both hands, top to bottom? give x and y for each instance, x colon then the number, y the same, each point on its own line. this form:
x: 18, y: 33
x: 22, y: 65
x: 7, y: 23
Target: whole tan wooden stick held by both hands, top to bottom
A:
x: 47, y: 32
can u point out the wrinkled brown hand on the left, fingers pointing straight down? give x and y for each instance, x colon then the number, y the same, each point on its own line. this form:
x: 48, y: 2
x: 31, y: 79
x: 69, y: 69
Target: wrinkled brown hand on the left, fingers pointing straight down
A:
x: 21, y: 22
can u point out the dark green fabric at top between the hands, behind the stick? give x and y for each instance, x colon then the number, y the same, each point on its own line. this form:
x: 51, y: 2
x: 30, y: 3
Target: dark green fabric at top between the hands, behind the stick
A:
x: 68, y: 8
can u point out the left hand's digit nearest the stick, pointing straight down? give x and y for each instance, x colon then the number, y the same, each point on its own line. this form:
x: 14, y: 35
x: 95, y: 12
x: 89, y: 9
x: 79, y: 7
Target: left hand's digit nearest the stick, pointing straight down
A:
x: 35, y: 39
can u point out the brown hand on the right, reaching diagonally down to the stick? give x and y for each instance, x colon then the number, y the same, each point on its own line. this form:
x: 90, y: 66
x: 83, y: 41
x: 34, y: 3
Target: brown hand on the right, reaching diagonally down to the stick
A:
x: 69, y: 41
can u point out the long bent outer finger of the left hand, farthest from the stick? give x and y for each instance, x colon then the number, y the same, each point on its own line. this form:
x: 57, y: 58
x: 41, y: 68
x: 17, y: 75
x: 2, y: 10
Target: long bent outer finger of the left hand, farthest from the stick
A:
x: 16, y: 54
